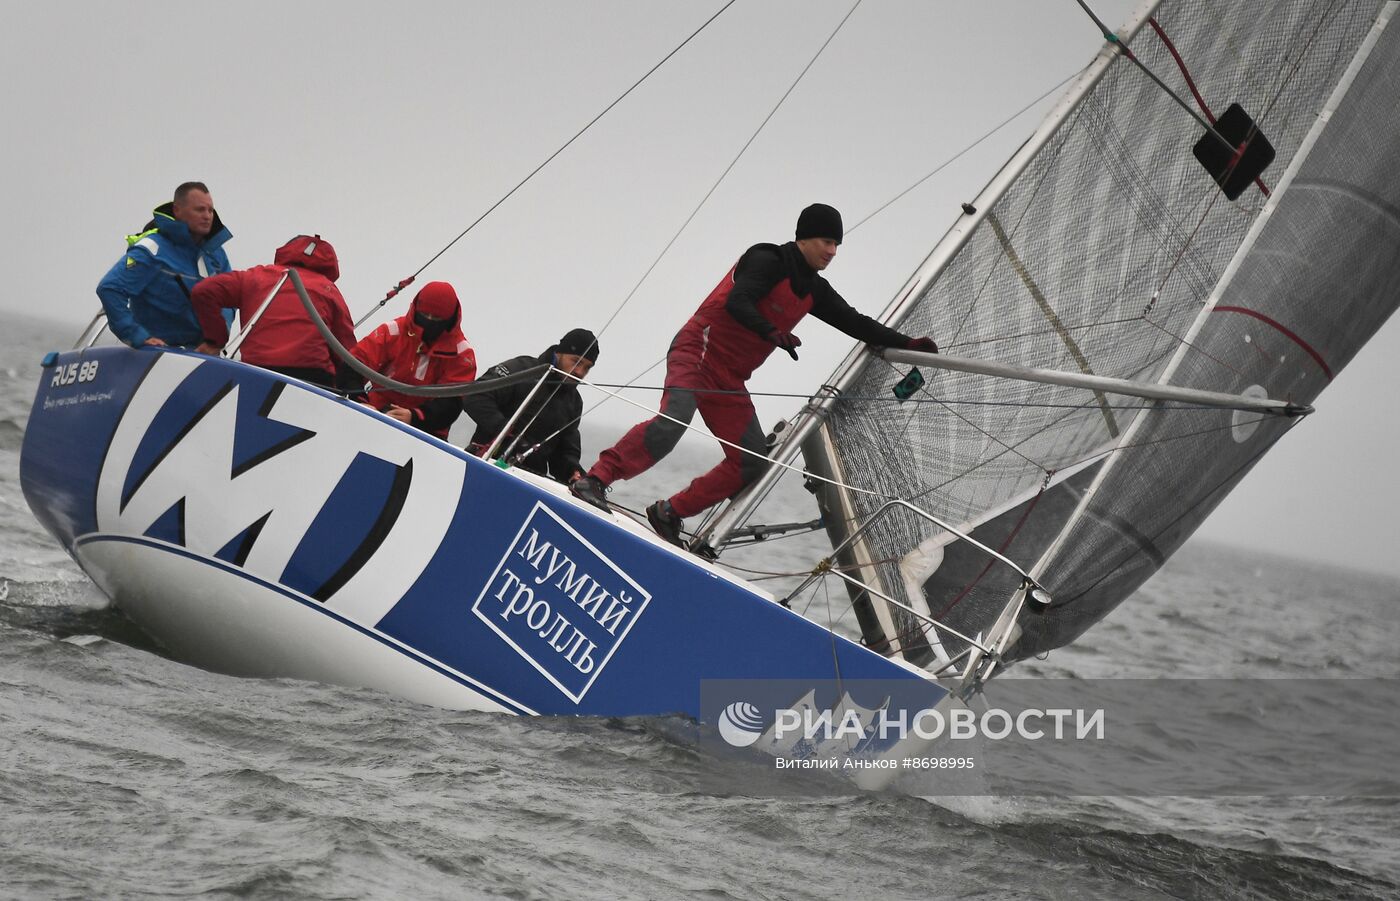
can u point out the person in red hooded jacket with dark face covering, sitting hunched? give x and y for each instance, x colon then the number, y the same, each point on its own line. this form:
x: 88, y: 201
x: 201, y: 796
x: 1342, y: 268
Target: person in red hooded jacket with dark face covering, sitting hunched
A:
x: 425, y: 346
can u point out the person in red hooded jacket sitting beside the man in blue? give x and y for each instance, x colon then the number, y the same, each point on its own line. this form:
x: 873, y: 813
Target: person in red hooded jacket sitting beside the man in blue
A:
x: 283, y: 339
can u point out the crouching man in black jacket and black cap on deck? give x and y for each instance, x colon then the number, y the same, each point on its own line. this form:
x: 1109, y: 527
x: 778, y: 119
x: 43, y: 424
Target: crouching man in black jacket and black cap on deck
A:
x: 547, y: 432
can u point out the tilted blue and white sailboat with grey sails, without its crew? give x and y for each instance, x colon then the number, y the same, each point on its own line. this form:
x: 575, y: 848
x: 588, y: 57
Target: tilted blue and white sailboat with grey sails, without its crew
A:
x: 1146, y: 299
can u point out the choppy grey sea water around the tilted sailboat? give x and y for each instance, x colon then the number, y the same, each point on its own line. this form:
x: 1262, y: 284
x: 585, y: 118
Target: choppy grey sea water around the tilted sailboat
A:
x: 127, y: 774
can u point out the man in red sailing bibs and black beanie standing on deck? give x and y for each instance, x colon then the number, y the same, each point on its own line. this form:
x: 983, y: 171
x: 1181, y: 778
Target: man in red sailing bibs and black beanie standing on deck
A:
x: 745, y: 318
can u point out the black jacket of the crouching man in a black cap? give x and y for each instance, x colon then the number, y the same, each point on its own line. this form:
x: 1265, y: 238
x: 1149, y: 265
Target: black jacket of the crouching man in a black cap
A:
x: 551, y: 420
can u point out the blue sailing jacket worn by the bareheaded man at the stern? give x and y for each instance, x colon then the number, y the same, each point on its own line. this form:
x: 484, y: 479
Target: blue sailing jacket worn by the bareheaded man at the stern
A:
x: 146, y: 293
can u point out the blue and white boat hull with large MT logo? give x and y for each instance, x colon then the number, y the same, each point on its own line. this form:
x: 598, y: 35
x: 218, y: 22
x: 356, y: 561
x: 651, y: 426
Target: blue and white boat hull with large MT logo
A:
x: 260, y: 527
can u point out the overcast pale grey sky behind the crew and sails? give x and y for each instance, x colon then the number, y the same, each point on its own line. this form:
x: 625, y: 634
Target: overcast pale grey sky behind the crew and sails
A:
x: 388, y: 129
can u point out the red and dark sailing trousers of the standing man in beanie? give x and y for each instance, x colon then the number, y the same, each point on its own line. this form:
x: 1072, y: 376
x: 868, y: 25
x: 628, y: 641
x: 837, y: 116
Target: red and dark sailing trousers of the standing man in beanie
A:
x: 719, y: 394
